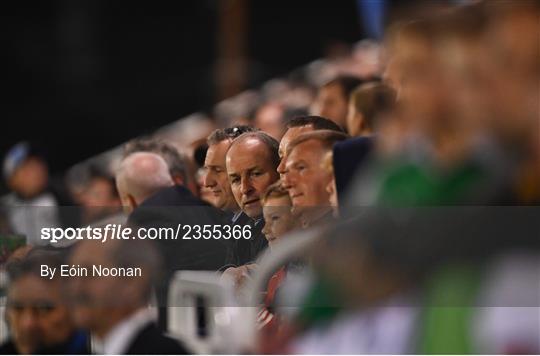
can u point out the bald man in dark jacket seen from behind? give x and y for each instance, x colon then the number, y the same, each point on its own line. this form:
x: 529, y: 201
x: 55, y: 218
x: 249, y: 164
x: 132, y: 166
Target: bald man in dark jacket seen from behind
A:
x: 156, y: 202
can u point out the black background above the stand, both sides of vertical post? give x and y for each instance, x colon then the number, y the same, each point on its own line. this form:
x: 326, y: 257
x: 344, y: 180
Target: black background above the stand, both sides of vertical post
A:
x: 82, y: 76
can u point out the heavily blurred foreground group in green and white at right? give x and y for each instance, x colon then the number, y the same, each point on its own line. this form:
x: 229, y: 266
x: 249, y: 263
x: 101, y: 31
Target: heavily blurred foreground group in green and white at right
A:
x: 424, y: 269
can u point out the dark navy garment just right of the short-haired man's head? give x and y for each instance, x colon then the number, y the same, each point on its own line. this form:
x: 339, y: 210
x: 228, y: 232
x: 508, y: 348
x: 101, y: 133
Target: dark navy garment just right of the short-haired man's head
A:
x: 349, y: 156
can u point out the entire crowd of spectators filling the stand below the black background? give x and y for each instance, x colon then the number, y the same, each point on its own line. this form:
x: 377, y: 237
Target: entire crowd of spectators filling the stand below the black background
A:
x: 415, y: 179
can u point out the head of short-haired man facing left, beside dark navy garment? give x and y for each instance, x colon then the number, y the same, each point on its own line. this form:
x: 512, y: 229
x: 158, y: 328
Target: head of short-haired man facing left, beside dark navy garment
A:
x: 306, y: 179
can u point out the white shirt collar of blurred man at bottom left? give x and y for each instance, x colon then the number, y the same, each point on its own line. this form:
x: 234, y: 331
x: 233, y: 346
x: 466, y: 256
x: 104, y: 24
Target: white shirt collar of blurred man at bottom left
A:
x: 117, y: 341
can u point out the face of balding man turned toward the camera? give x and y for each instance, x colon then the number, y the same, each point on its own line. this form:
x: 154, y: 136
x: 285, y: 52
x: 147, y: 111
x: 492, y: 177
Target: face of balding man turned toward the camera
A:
x: 250, y: 171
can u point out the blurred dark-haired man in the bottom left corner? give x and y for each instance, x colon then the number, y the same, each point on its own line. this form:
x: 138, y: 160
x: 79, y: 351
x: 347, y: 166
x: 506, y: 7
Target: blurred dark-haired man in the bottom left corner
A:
x: 38, y: 311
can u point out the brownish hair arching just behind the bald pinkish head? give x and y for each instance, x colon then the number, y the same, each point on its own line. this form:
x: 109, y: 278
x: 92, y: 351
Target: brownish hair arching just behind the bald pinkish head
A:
x: 177, y: 163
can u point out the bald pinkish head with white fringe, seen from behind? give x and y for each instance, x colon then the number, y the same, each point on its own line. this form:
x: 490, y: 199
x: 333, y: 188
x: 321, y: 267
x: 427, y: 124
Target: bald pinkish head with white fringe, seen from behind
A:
x: 141, y: 175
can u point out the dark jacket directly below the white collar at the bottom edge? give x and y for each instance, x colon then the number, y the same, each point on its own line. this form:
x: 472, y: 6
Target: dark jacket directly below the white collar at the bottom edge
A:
x: 151, y: 341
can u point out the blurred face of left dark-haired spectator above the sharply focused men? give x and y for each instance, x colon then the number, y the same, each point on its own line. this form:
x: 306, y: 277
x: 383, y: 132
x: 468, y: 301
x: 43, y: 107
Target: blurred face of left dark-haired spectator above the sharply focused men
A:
x: 332, y: 99
